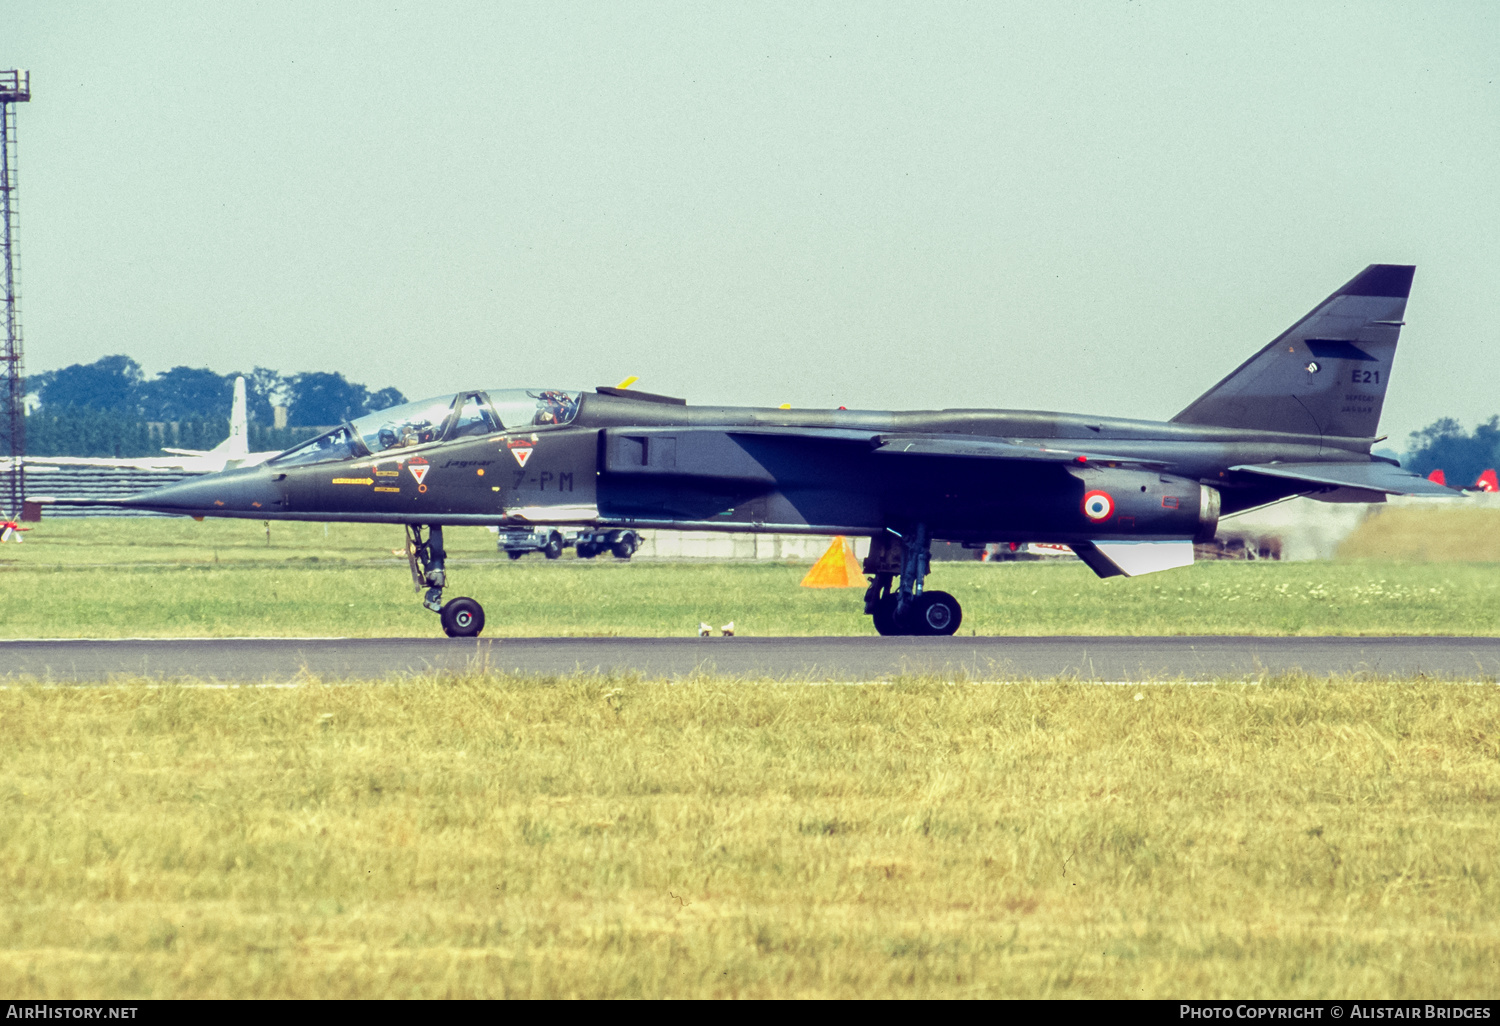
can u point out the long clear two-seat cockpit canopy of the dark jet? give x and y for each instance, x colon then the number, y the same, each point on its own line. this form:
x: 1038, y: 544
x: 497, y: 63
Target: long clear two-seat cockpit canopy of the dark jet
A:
x: 442, y: 419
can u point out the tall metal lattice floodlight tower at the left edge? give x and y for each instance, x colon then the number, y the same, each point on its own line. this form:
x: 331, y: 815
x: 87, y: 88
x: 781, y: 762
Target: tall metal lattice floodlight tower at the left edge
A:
x: 16, y: 88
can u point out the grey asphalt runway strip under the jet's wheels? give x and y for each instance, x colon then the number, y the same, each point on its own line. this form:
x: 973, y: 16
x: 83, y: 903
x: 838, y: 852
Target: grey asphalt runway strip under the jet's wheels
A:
x: 817, y: 659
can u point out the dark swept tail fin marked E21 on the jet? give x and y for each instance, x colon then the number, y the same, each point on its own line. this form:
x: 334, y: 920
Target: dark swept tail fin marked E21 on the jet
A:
x: 1327, y: 374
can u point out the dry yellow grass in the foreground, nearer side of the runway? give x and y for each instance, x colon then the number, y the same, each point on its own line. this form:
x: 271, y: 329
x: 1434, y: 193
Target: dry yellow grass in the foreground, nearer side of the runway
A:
x: 710, y: 839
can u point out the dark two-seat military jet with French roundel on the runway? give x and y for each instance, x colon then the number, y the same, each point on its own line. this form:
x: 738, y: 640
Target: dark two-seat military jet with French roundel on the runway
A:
x: 1129, y: 496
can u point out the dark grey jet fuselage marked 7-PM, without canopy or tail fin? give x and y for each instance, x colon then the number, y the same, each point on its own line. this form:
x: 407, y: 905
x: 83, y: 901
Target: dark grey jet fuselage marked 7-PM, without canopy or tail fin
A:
x: 626, y: 463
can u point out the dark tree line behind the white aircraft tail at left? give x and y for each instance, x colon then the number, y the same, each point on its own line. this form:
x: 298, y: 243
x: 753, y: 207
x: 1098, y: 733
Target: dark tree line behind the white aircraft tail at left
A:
x: 112, y: 409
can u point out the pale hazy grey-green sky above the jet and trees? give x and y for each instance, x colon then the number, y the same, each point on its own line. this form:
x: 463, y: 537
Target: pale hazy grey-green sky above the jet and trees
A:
x: 1093, y: 206
